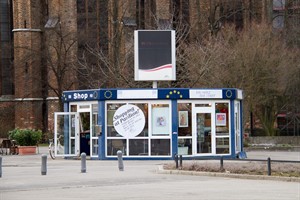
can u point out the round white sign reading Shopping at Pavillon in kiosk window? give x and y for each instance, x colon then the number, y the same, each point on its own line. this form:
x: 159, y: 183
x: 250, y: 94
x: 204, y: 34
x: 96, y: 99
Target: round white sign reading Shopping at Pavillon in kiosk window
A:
x: 129, y: 120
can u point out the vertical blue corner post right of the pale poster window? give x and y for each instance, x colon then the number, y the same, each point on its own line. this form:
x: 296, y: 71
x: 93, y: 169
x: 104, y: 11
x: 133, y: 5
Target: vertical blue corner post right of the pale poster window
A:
x: 174, y: 122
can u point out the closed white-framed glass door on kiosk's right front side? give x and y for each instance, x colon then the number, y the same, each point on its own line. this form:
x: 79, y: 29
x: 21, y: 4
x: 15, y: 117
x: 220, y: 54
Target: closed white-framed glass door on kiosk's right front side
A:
x: 203, y: 131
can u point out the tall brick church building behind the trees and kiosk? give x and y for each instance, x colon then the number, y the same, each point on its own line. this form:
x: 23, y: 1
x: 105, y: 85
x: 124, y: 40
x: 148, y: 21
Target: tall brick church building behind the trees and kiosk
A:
x: 41, y: 42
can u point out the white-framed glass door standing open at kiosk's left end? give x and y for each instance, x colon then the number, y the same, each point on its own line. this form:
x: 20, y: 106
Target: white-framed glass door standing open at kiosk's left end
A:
x: 66, y: 134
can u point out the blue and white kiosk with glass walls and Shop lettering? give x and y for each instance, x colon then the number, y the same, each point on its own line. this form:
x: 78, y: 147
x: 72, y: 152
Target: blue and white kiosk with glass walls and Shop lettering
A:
x: 154, y: 123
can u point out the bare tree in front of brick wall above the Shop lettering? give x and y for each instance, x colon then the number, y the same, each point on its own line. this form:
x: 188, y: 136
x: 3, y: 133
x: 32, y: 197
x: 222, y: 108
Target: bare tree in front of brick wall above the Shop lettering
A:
x: 60, y: 56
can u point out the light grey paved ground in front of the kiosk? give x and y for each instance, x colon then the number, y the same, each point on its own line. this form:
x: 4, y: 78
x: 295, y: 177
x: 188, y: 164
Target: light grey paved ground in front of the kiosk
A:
x: 22, y: 180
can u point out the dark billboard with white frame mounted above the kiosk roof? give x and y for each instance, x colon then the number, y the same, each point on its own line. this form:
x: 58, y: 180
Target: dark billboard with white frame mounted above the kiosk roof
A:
x: 154, y: 55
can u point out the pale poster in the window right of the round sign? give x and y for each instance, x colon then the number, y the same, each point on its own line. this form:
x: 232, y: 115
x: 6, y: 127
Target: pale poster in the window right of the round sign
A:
x: 160, y: 121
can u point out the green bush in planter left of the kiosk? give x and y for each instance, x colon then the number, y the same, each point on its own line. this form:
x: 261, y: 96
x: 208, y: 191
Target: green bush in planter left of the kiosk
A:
x: 25, y: 137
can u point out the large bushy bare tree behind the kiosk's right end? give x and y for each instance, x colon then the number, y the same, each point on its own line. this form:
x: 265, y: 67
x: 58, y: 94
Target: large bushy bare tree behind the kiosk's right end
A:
x: 255, y: 60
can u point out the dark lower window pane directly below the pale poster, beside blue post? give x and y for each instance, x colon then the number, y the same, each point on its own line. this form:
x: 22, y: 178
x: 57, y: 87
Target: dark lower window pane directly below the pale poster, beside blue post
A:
x: 160, y: 147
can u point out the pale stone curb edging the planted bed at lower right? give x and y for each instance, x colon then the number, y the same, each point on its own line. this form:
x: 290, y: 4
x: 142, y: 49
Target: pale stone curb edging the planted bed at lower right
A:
x: 161, y: 170
